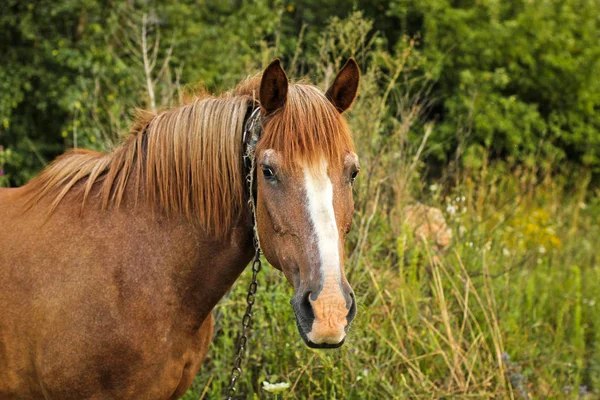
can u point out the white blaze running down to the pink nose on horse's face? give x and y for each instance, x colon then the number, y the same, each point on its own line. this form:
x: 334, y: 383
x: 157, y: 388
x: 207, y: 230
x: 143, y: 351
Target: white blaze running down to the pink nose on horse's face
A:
x: 330, y: 306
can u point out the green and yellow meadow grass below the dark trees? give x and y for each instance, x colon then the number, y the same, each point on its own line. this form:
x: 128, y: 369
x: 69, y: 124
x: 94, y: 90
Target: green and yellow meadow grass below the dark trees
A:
x: 510, y: 312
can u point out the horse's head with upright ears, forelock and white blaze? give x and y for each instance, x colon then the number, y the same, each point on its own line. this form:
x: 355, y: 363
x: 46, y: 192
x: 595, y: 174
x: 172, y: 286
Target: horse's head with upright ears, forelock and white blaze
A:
x: 306, y: 166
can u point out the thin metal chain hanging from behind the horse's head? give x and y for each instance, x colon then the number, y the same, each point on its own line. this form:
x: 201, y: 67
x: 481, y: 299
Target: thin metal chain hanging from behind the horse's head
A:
x: 253, y: 128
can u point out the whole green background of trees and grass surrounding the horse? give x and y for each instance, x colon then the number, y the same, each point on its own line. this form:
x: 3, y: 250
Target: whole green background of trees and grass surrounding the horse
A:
x: 487, y: 110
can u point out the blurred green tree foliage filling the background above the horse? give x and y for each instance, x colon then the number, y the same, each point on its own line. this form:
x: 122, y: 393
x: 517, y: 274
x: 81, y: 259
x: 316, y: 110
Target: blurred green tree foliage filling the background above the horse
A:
x: 514, y: 79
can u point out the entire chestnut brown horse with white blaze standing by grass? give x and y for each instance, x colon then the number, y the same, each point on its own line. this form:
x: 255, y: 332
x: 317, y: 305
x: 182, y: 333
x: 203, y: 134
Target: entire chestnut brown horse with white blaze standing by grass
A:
x: 110, y: 264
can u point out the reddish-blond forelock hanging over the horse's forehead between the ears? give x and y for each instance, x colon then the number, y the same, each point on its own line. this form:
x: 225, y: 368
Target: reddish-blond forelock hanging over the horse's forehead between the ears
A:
x: 307, y: 131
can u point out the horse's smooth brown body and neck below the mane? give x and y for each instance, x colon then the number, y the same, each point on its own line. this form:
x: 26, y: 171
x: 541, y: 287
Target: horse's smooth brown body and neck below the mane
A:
x: 81, y: 320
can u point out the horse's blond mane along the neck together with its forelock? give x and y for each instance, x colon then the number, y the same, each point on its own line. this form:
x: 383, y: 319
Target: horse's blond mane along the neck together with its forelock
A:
x: 188, y: 160
